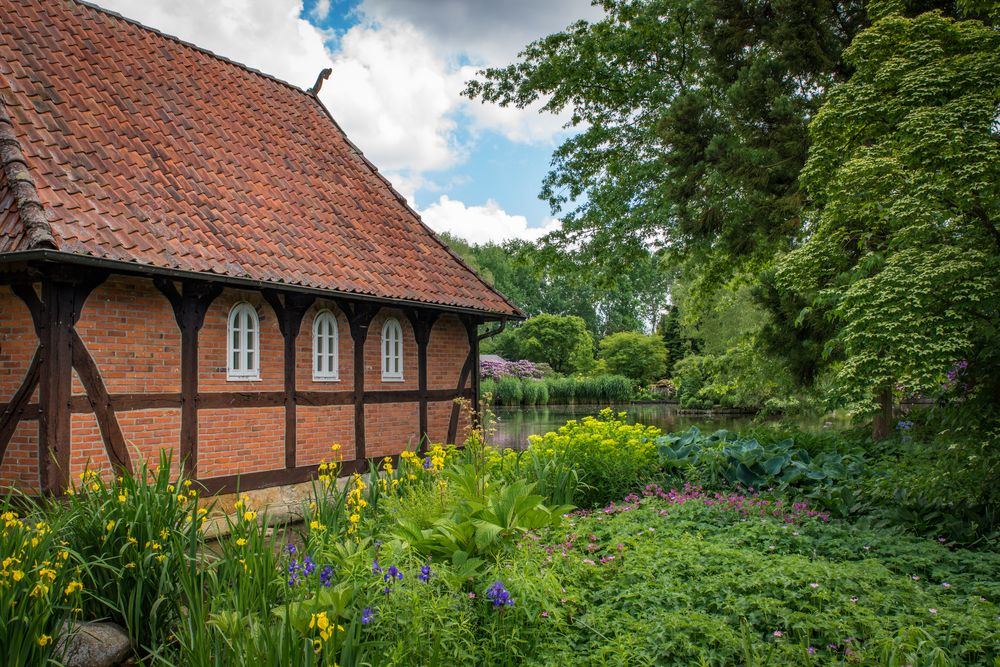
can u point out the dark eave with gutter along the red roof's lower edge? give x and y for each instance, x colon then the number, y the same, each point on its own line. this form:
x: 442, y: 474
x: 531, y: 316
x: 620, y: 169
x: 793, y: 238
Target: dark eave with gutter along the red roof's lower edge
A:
x: 134, y: 268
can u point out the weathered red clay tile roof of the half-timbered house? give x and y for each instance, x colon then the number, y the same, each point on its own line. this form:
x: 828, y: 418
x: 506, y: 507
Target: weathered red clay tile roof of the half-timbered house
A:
x: 122, y: 143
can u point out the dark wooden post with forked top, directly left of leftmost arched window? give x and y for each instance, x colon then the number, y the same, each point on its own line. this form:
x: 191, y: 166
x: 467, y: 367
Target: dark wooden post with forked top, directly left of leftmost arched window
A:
x: 189, y: 309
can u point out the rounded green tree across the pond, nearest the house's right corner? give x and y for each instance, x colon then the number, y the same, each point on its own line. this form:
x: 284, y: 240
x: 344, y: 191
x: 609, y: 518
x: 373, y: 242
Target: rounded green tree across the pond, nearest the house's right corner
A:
x: 561, y: 341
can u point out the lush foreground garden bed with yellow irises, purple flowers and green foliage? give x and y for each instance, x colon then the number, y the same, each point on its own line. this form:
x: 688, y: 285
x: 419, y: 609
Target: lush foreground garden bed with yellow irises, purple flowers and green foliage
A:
x: 603, y: 543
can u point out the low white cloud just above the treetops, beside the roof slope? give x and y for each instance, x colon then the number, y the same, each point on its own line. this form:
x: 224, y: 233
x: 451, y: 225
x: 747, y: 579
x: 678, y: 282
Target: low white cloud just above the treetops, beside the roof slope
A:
x: 481, y: 224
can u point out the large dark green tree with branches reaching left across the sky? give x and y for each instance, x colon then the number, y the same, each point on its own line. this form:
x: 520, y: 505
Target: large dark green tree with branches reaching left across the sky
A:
x: 693, y: 117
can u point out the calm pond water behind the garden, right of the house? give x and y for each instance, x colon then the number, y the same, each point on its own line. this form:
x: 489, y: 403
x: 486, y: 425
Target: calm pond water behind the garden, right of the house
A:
x: 515, y: 424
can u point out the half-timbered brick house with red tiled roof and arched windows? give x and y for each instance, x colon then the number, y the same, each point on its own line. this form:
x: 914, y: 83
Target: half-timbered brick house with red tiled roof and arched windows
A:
x: 194, y: 257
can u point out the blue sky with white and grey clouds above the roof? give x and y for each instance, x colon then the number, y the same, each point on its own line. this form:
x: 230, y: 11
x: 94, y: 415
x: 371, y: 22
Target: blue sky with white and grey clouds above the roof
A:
x: 398, y: 69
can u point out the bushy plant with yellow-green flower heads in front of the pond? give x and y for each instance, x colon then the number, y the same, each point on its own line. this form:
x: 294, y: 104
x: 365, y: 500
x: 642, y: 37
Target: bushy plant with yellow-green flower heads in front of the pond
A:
x: 610, y: 456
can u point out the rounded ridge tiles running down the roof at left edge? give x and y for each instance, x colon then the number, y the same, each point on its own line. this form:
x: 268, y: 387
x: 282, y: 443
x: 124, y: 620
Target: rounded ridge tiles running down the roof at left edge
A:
x: 38, y: 231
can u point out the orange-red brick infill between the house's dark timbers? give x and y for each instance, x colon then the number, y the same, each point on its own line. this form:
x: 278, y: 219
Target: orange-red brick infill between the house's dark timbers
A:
x: 128, y: 327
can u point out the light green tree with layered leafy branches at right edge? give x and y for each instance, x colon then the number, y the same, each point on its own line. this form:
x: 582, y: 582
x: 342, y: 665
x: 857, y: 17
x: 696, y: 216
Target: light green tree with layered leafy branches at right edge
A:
x: 904, y: 173
